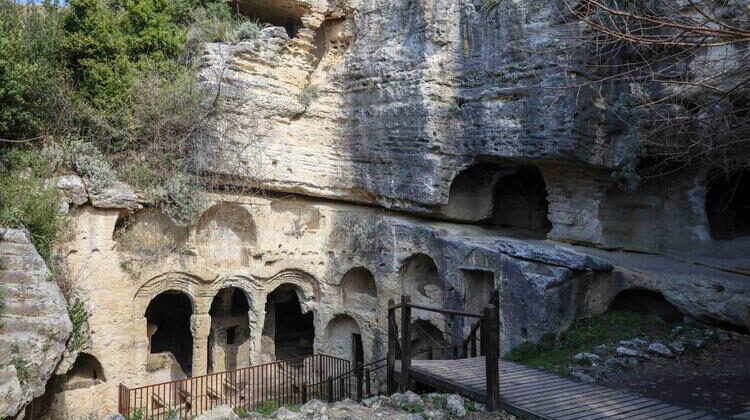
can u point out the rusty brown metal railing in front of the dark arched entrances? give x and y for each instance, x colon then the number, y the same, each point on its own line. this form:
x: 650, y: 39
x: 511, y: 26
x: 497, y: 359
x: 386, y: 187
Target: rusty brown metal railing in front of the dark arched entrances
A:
x: 284, y: 382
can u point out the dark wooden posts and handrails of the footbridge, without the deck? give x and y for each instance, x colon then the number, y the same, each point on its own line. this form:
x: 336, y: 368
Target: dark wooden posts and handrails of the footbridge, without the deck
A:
x: 487, y: 325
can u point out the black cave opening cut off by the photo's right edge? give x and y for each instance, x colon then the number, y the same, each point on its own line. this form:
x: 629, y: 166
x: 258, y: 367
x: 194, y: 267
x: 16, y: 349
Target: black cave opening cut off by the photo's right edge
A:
x: 728, y: 205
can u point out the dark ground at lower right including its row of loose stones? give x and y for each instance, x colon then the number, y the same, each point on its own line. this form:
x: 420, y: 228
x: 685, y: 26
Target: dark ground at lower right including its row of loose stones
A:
x: 696, y: 367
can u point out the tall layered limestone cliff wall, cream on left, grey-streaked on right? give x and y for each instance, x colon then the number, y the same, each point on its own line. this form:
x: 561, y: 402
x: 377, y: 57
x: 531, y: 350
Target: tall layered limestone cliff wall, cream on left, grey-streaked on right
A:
x: 411, y: 93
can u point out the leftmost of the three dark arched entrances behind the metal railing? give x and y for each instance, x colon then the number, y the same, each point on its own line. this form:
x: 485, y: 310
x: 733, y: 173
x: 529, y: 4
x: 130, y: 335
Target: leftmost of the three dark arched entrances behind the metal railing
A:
x: 170, y: 313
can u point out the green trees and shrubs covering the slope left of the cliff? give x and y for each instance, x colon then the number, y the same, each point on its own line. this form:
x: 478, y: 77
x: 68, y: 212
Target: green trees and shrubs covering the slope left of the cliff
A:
x: 107, y: 89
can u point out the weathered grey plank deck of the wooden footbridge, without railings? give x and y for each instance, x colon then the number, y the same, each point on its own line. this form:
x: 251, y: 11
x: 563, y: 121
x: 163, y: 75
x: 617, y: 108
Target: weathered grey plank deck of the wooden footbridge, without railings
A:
x: 533, y: 393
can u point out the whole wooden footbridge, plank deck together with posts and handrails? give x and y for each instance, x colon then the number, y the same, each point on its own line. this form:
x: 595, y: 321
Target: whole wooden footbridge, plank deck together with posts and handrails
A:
x: 515, y: 388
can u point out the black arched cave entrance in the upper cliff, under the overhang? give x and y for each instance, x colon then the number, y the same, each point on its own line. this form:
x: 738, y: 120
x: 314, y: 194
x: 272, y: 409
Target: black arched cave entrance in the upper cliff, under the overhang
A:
x: 520, y: 201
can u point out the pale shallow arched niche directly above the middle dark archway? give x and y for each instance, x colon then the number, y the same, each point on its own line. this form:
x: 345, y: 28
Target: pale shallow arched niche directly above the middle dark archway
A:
x: 224, y: 233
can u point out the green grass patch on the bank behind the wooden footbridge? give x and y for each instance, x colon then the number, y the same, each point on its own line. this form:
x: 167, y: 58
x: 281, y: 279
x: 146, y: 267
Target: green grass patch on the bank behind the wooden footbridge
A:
x: 586, y: 334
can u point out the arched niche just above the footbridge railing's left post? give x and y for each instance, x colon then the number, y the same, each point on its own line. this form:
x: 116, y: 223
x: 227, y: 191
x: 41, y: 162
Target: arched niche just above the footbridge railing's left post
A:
x: 421, y: 280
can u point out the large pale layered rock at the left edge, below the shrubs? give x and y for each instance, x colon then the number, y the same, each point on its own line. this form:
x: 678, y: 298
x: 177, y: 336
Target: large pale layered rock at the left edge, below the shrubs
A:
x: 34, y: 324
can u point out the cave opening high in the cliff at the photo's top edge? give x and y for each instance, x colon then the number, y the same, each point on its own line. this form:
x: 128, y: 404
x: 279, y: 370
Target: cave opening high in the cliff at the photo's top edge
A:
x: 283, y: 13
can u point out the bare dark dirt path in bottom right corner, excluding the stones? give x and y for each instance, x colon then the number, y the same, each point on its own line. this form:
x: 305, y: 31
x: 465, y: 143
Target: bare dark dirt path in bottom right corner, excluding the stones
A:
x: 715, y: 379
